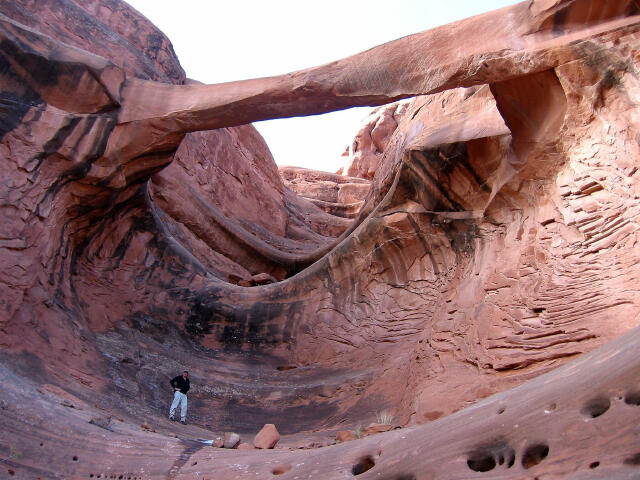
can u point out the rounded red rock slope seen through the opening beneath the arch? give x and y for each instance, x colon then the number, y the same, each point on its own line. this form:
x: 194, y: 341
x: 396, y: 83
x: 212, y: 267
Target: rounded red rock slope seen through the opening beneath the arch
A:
x: 234, y: 213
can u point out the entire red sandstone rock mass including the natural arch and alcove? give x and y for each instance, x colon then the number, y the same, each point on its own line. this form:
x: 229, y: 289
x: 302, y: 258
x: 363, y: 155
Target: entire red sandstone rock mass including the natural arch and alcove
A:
x: 479, y: 282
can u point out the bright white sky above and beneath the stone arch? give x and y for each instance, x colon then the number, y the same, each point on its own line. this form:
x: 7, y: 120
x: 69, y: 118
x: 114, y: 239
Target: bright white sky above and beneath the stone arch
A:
x: 220, y: 41
